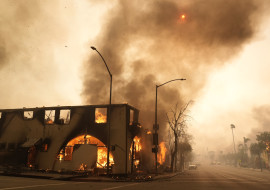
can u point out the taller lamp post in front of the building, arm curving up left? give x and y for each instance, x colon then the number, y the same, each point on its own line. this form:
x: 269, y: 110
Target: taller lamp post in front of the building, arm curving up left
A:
x: 109, y: 115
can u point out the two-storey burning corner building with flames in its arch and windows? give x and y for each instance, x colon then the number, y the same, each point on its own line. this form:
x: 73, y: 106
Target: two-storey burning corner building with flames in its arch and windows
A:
x: 70, y: 137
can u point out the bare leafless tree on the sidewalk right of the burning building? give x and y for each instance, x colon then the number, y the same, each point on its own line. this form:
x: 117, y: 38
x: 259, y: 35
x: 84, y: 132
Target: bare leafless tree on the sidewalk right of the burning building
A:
x: 177, y: 119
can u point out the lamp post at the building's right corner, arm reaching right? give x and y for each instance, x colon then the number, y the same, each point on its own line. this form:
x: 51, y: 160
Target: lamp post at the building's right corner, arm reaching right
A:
x: 155, y: 135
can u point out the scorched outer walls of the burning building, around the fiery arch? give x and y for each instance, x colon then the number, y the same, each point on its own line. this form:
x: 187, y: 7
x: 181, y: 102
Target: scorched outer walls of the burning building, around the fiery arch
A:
x: 23, y: 132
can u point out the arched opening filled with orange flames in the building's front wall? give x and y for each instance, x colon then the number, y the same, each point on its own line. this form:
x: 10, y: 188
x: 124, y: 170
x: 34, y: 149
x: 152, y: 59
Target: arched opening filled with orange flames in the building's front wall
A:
x: 66, y: 153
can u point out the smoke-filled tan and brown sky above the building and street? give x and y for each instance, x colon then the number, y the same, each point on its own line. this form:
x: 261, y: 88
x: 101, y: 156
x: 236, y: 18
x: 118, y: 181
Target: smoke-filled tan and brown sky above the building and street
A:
x: 220, y: 48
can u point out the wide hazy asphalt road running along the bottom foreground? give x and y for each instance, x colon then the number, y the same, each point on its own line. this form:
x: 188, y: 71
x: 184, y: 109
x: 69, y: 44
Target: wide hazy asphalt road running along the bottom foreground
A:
x: 204, y: 178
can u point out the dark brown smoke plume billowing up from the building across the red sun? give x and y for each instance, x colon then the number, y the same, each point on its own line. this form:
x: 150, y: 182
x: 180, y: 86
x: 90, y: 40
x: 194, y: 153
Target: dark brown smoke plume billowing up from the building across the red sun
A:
x: 147, y: 43
